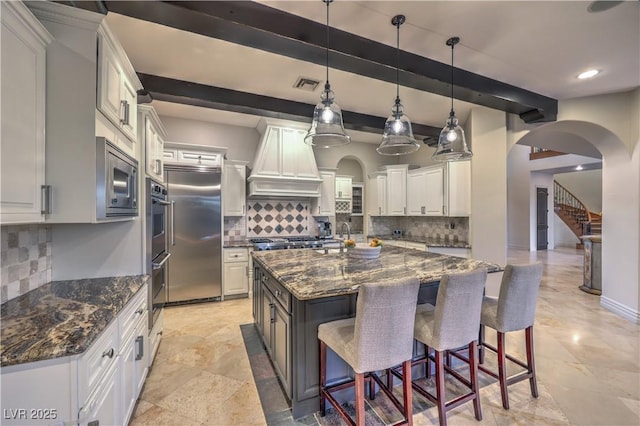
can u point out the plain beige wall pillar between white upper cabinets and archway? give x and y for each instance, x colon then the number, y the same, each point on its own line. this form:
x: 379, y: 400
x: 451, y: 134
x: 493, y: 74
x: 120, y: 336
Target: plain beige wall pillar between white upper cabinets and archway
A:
x: 488, y: 224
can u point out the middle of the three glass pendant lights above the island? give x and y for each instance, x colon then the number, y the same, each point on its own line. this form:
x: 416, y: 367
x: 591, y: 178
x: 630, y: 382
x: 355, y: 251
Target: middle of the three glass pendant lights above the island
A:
x: 397, y: 138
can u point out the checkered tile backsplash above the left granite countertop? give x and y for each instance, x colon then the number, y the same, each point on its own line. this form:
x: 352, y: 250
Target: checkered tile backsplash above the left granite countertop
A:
x: 26, y: 259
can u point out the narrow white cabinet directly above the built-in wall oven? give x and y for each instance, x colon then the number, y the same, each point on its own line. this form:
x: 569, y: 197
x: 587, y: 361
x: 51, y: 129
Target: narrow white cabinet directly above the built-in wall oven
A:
x: 151, y: 134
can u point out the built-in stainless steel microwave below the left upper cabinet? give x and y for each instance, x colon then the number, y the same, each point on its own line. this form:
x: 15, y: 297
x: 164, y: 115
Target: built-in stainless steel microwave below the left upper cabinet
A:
x: 116, y: 181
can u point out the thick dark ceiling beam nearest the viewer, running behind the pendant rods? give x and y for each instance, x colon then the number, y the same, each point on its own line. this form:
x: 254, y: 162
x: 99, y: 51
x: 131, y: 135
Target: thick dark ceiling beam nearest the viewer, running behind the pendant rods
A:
x: 258, y: 26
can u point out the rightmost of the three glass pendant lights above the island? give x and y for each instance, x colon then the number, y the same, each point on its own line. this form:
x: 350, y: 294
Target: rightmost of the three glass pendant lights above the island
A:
x: 452, y: 145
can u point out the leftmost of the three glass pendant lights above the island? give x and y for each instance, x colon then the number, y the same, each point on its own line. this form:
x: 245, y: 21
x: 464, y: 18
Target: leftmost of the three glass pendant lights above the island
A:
x: 327, y: 128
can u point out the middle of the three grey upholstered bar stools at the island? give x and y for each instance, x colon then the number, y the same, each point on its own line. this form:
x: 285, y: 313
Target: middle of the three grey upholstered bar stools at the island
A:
x: 452, y: 324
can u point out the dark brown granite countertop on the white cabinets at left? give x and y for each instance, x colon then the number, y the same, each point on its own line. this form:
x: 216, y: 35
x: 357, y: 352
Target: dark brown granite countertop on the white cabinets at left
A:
x: 62, y: 318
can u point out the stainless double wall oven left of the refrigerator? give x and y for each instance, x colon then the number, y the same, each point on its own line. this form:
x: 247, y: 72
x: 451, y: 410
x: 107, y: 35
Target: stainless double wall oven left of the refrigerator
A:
x: 157, y: 254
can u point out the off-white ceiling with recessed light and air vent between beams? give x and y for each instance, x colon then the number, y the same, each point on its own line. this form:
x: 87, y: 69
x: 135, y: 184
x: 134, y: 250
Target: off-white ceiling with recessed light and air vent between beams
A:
x: 540, y: 46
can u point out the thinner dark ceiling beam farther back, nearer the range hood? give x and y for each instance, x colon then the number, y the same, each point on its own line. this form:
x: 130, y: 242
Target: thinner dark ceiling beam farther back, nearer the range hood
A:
x: 184, y: 92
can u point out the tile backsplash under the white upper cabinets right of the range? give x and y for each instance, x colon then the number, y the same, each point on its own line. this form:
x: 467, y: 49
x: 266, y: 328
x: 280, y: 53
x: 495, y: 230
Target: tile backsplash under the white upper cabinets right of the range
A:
x: 455, y: 229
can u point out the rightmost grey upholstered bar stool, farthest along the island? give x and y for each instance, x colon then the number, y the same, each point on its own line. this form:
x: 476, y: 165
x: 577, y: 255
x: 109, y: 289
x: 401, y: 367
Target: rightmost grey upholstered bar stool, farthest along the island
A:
x: 514, y: 310
